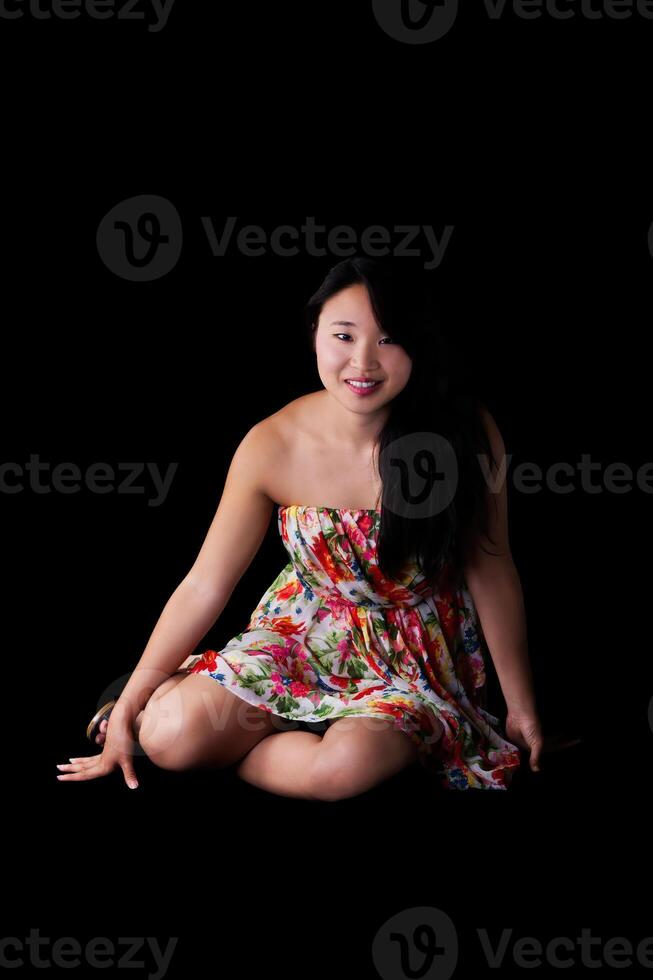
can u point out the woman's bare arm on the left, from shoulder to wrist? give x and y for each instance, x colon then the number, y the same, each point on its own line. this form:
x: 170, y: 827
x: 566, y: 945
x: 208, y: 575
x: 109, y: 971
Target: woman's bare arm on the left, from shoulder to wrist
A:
x: 234, y: 537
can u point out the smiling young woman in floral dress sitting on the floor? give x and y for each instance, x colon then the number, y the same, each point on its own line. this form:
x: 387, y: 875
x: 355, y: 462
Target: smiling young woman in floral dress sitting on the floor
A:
x: 377, y: 629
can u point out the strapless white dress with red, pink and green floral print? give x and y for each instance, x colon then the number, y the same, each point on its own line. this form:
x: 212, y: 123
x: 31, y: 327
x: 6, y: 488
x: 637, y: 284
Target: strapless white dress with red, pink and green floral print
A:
x: 333, y: 637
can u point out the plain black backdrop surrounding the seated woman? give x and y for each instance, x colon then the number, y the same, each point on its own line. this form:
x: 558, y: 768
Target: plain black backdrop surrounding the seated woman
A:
x: 525, y: 136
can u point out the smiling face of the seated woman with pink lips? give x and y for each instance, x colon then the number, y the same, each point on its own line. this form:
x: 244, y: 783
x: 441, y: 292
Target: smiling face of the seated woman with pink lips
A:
x: 349, y: 344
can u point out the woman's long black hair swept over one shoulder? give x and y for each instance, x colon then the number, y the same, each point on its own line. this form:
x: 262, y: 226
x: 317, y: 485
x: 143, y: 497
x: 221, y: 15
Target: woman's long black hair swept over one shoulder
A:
x: 439, y: 397
